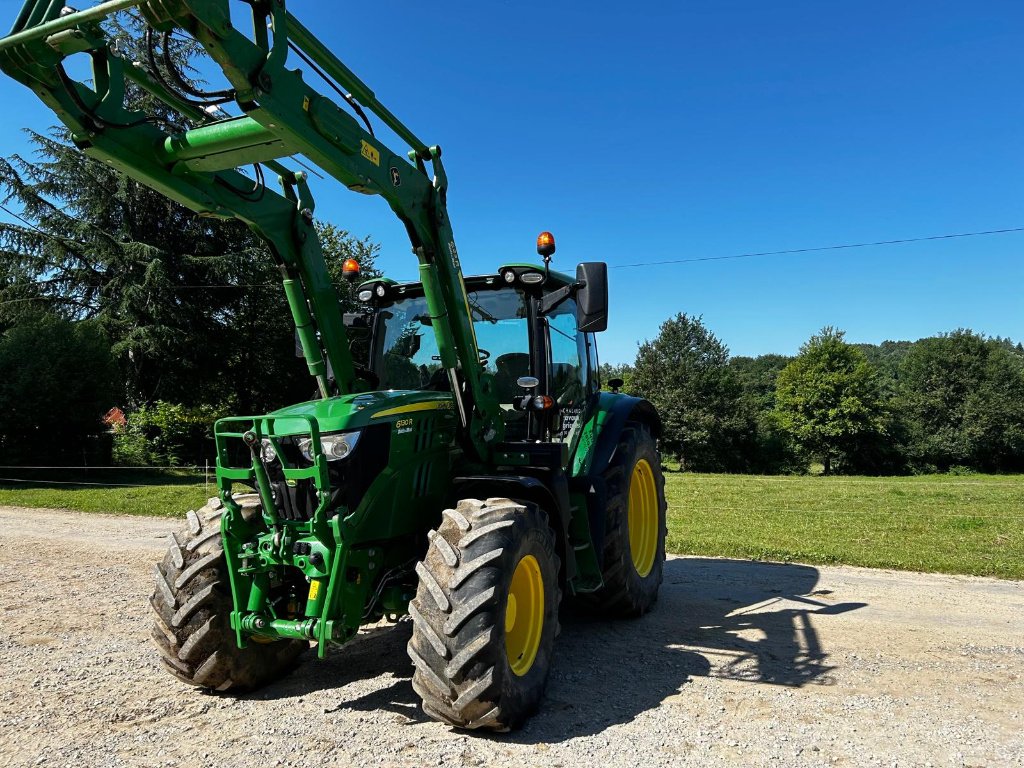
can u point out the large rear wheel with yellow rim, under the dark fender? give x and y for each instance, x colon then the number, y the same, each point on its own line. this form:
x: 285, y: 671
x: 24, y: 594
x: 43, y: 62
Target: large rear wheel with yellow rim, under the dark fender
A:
x: 635, y: 528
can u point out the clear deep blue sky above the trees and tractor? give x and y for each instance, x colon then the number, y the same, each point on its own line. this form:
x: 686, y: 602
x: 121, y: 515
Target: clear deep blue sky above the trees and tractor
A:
x: 648, y: 132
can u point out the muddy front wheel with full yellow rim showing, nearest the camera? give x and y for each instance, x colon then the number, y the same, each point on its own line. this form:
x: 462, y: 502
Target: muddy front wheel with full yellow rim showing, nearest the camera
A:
x: 486, y: 615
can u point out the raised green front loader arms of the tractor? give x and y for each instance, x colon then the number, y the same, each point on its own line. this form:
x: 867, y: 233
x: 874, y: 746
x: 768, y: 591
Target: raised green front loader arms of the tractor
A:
x: 283, y: 115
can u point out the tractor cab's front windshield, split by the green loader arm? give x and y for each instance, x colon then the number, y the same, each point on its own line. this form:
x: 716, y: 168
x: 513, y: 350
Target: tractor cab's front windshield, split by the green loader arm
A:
x: 407, y: 357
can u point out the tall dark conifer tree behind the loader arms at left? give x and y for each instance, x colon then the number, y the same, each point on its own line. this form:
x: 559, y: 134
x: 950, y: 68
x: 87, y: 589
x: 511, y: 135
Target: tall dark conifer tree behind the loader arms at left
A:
x: 193, y: 306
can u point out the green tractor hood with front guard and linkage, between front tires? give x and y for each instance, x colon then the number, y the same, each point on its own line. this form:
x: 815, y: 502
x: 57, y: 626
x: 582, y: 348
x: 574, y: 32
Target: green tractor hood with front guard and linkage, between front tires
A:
x: 340, y: 552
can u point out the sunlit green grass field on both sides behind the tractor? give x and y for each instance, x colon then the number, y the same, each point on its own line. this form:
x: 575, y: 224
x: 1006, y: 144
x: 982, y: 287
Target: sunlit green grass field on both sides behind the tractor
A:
x: 954, y: 525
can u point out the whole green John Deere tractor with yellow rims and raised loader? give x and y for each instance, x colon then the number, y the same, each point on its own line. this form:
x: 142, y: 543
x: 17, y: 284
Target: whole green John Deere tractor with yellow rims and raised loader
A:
x: 467, y: 473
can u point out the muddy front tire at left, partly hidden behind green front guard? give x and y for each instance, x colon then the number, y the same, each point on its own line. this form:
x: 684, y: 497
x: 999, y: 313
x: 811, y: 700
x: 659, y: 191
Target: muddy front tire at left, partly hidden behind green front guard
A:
x: 192, y: 606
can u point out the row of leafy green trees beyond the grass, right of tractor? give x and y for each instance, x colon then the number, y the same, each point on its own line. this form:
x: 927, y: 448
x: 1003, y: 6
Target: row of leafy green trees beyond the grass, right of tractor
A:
x: 954, y: 403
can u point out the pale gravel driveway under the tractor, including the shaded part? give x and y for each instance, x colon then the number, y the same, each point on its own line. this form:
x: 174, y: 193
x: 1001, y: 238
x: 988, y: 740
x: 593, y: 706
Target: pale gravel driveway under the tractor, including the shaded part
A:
x: 740, y: 664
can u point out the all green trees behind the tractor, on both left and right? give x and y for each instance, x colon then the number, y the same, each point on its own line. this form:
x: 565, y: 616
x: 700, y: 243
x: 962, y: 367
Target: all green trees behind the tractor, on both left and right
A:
x: 112, y: 295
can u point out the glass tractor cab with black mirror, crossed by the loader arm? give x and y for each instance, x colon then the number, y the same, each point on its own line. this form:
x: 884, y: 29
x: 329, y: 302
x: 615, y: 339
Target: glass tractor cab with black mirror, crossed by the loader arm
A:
x: 530, y: 331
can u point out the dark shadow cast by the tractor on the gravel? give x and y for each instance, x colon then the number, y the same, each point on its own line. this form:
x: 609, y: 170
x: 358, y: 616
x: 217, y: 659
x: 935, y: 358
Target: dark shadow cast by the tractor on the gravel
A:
x: 736, y: 620
